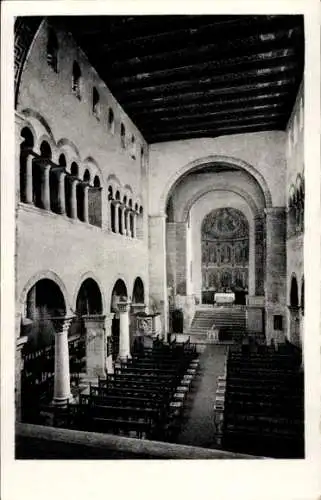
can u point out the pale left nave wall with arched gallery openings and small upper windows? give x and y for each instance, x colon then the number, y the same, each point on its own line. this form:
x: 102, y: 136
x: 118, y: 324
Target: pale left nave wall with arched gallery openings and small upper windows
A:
x: 51, y: 244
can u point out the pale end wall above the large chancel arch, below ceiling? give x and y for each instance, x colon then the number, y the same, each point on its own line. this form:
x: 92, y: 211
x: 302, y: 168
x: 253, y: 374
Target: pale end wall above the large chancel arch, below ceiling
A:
x: 265, y: 151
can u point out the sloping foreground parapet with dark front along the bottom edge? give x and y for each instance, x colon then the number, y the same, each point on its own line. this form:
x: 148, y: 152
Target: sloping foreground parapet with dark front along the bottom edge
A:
x: 34, y: 441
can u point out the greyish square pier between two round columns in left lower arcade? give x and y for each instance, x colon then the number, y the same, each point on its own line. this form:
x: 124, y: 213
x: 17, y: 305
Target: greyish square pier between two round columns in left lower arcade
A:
x: 96, y: 348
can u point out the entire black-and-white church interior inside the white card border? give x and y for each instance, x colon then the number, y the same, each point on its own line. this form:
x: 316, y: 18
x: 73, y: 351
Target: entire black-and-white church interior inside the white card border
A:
x: 159, y: 279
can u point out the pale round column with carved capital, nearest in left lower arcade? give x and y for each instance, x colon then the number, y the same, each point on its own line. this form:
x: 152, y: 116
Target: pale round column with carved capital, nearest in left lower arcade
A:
x: 62, y: 393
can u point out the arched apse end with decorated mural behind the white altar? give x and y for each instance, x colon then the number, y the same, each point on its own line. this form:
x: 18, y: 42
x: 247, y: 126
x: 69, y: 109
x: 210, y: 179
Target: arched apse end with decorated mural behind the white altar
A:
x: 225, y: 254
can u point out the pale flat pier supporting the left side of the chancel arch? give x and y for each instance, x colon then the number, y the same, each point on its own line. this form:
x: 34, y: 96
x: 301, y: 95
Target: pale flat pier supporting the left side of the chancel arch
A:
x: 157, y: 266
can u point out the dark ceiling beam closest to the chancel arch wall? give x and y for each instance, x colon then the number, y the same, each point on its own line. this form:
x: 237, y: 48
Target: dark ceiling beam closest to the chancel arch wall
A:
x: 240, y: 129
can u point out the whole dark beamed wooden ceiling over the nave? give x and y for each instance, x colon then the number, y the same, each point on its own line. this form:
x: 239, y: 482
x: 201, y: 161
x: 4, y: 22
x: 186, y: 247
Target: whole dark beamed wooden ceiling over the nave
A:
x: 181, y: 77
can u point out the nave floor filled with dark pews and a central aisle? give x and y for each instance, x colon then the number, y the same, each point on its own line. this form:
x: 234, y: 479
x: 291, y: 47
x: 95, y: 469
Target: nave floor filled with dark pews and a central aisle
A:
x: 227, y: 398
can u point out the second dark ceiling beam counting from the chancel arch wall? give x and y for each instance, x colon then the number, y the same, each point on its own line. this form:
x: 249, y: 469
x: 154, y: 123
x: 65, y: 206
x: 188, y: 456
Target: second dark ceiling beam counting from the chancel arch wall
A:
x: 252, y: 118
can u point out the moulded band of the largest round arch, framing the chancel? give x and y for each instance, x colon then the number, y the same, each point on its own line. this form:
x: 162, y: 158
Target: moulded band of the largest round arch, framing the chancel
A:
x: 223, y: 160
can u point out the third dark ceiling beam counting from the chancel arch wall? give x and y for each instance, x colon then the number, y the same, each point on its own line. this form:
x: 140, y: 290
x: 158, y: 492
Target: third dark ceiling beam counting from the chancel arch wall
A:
x: 247, y: 111
